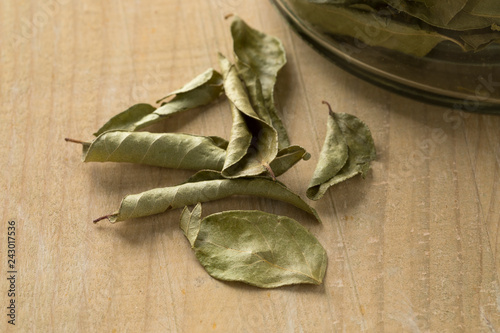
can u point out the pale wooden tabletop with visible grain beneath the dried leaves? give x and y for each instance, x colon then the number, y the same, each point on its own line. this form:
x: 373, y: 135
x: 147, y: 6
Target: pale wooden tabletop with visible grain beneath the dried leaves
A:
x: 413, y: 247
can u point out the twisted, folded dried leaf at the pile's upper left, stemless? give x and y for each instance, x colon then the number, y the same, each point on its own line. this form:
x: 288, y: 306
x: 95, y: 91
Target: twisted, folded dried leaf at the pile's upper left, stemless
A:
x: 202, y: 90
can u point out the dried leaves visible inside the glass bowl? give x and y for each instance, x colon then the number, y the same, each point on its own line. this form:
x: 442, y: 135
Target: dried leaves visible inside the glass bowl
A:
x: 411, y: 27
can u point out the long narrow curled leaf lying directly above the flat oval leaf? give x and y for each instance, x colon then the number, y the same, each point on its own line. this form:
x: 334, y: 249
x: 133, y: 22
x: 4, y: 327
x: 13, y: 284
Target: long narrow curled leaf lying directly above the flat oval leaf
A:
x: 202, y: 187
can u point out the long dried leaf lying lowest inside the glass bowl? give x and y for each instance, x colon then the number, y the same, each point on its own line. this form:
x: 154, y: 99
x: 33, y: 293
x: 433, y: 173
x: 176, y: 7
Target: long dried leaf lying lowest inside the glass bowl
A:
x: 409, y: 38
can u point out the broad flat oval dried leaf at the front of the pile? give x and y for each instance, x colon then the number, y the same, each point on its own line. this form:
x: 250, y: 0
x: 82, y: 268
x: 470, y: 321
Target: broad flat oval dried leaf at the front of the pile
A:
x: 256, y: 248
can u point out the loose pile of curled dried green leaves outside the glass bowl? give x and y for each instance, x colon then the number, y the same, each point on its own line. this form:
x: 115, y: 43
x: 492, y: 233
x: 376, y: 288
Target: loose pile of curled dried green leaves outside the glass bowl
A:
x: 254, y: 247
